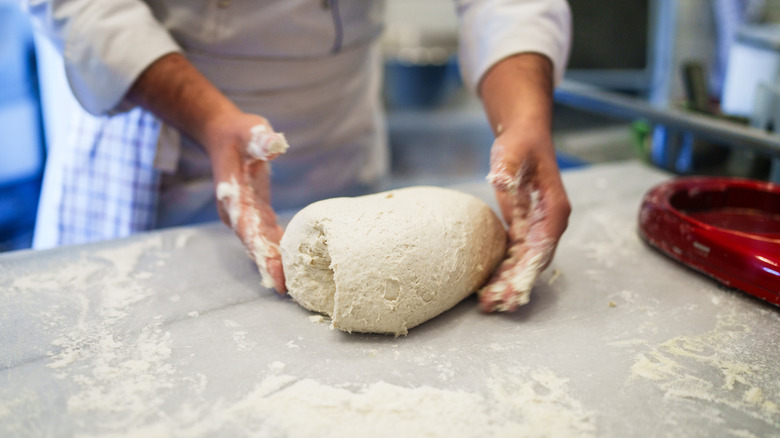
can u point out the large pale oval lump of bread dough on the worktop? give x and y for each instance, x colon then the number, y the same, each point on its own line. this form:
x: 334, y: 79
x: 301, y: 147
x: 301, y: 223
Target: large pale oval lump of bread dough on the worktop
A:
x: 387, y: 262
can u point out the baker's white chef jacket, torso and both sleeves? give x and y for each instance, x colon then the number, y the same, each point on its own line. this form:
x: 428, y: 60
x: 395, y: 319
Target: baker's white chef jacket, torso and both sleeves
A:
x: 311, y: 67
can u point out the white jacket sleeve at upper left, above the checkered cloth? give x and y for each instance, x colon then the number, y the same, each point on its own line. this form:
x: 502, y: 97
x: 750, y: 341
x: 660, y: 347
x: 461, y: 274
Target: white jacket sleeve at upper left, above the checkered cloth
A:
x: 106, y: 45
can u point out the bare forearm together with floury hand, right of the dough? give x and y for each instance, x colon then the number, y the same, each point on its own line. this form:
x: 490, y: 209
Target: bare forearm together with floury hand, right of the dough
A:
x: 517, y: 94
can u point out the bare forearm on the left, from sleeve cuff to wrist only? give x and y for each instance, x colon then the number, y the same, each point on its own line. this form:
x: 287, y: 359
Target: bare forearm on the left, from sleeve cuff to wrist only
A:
x: 174, y: 90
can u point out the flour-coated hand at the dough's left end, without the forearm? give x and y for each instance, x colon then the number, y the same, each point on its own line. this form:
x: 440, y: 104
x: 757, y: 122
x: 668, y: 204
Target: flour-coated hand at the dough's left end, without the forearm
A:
x: 241, y: 146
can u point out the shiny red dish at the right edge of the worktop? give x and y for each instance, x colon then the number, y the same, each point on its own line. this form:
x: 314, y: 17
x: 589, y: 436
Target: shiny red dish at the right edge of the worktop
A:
x: 727, y: 228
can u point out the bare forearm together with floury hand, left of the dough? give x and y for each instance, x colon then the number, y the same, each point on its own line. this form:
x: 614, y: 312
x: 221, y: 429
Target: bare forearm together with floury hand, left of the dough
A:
x: 239, y: 145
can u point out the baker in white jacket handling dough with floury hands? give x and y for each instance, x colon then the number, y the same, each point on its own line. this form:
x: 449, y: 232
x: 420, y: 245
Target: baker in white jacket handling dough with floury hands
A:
x: 173, y: 90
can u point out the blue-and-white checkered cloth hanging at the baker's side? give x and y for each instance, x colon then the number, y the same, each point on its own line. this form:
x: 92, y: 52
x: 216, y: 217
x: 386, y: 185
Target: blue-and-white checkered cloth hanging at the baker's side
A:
x: 108, y: 185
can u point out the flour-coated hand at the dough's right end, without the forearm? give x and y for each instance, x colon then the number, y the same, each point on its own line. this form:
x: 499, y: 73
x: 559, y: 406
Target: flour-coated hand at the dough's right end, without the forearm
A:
x: 529, y: 190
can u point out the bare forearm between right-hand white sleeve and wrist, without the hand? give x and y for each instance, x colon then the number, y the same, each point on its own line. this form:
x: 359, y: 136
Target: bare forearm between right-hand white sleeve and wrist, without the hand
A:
x: 517, y: 94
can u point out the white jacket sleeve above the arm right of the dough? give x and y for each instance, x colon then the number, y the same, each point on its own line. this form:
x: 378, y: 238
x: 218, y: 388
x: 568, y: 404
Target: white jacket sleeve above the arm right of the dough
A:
x: 491, y: 30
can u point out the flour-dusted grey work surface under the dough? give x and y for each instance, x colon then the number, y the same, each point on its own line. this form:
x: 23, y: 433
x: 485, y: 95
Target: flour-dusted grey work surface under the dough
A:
x: 171, y: 334
